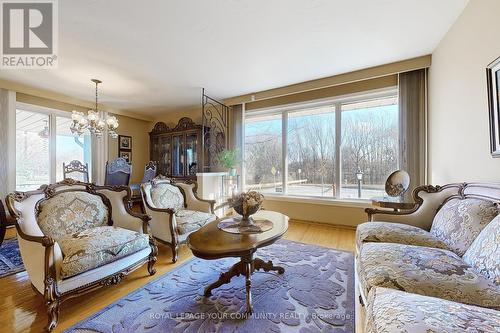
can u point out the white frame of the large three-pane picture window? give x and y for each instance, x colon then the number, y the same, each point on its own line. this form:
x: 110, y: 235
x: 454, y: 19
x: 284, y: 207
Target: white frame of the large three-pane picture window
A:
x: 336, y: 102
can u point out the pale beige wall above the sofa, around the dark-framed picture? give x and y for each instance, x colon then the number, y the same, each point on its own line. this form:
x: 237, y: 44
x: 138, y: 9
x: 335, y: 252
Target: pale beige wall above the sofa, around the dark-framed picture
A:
x: 458, y: 105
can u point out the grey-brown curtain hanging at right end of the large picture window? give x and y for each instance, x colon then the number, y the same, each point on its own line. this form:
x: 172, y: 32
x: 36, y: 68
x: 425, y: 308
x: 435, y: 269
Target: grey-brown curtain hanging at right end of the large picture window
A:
x: 413, y: 125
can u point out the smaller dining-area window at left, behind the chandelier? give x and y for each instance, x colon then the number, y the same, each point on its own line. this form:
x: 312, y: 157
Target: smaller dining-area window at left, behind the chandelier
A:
x: 43, y: 143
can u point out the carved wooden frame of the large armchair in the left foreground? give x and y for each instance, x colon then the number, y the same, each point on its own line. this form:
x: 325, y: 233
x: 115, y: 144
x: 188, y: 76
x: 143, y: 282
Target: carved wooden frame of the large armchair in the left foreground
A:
x: 50, y: 251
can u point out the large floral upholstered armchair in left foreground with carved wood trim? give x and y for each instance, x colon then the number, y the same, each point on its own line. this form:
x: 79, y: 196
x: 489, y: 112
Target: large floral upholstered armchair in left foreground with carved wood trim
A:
x: 75, y: 237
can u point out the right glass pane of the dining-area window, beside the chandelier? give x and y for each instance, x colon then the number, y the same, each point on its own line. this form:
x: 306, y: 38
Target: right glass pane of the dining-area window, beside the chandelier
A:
x: 69, y: 148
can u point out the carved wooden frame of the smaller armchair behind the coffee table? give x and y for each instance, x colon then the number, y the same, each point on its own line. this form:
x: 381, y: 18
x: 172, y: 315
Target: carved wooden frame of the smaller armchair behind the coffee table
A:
x: 188, y: 189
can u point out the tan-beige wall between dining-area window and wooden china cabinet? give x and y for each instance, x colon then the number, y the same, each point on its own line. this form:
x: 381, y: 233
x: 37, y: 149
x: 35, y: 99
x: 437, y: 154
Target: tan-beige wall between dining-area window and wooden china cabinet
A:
x: 138, y: 130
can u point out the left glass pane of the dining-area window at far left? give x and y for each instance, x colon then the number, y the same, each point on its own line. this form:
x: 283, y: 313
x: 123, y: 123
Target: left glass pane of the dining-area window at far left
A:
x: 32, y: 150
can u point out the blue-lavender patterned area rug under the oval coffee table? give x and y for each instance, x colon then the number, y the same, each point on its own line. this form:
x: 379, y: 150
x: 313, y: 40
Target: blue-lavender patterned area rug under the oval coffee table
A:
x: 315, y: 294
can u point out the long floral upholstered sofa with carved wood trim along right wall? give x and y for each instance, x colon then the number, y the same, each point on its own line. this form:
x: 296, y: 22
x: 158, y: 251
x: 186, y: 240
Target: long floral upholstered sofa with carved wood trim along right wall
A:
x: 435, y: 267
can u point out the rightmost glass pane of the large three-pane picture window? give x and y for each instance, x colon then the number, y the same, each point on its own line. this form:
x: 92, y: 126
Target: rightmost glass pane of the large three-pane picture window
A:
x: 369, y: 146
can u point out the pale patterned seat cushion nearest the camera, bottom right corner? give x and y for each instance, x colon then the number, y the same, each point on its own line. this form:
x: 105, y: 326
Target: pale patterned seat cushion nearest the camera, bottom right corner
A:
x: 391, y: 310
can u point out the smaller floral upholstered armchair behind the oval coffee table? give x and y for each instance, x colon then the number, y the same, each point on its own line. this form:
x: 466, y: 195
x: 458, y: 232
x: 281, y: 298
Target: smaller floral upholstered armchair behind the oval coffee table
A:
x: 175, y: 211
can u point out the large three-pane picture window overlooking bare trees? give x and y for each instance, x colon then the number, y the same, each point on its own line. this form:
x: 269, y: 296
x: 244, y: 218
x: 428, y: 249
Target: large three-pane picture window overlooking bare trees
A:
x: 344, y: 148
